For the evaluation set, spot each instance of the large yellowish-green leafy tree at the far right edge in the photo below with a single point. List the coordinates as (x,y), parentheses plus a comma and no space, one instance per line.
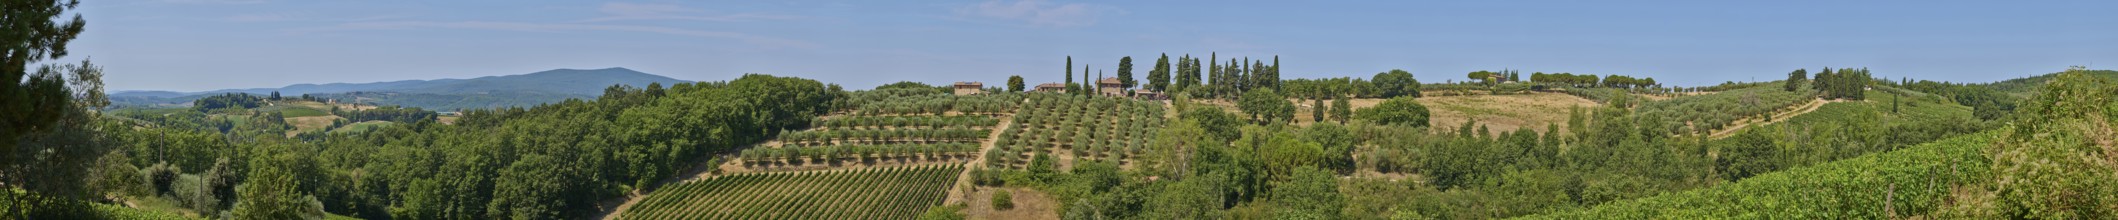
(2056,162)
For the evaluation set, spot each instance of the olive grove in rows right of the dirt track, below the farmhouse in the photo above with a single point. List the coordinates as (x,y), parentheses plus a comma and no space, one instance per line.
(1088,128)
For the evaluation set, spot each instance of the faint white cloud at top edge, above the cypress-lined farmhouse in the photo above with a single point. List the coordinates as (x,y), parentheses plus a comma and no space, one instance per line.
(1037,12)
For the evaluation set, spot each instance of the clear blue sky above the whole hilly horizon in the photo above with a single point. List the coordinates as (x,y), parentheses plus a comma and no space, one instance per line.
(196,45)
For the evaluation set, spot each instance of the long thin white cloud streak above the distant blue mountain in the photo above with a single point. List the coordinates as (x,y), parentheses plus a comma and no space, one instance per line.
(516,26)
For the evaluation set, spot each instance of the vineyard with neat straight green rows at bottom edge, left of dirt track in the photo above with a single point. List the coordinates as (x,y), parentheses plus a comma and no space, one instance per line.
(895,194)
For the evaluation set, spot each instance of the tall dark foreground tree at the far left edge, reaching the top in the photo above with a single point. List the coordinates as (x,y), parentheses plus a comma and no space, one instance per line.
(46,111)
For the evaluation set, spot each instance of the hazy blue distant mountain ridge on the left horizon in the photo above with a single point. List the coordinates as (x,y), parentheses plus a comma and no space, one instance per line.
(550,81)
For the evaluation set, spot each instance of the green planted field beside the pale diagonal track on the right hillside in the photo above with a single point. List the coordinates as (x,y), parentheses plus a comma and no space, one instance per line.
(1717,111)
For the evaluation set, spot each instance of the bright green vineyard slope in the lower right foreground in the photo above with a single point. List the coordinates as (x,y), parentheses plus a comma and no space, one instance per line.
(1888,185)
